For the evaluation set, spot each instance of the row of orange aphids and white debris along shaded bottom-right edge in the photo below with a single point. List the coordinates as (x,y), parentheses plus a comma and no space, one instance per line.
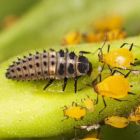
(114,121)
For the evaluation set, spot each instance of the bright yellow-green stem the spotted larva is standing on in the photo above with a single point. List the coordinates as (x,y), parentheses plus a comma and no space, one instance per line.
(28,111)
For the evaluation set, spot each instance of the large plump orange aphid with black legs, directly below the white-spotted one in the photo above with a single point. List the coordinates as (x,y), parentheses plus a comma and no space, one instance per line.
(107,87)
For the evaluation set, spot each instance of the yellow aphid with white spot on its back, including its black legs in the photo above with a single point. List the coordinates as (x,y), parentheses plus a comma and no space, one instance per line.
(120,58)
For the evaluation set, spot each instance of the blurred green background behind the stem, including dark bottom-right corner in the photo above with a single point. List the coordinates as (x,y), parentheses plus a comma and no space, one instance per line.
(35,24)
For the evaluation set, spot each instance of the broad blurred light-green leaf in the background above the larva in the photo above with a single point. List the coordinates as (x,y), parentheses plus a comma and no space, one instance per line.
(46,23)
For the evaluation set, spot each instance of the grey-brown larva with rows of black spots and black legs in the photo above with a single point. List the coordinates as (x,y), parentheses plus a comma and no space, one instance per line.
(50,65)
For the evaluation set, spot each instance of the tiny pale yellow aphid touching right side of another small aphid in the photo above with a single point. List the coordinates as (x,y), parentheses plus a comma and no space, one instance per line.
(89,104)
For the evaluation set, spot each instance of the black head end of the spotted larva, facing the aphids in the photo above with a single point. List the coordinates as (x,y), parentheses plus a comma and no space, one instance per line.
(83,66)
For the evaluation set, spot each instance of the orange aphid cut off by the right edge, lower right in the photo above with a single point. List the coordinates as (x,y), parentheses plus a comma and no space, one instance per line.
(135,115)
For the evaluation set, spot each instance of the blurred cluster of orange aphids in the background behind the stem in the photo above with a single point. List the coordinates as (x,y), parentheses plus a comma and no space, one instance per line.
(110,26)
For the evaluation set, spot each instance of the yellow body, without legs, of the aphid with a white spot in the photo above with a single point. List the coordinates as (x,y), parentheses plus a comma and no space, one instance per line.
(121,58)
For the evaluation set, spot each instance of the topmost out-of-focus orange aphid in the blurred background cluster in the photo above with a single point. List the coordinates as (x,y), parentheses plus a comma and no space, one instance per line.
(109,23)
